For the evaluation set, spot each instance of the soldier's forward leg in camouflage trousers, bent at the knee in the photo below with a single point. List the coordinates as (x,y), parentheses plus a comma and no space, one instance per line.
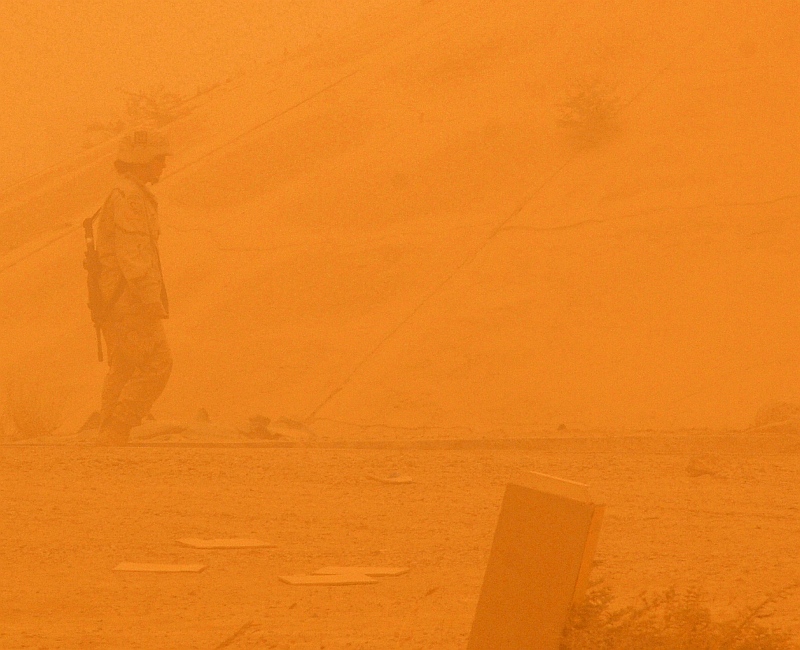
(148,342)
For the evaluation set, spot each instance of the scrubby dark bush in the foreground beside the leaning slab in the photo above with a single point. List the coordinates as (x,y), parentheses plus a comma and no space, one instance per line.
(669,621)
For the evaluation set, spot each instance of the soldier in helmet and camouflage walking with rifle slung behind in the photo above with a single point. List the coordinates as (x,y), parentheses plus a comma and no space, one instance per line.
(132,287)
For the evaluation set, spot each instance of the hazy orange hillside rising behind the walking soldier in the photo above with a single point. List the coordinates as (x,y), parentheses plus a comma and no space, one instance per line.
(394,232)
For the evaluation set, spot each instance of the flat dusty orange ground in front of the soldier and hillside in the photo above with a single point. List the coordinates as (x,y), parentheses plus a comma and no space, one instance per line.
(72,513)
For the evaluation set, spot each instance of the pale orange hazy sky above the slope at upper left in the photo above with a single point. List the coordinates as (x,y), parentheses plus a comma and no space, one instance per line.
(64,61)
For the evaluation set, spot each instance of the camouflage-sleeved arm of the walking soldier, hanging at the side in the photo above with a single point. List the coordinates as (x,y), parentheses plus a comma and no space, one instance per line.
(134,249)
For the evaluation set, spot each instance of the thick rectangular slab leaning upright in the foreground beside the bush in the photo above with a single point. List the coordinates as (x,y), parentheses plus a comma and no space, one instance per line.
(541,555)
